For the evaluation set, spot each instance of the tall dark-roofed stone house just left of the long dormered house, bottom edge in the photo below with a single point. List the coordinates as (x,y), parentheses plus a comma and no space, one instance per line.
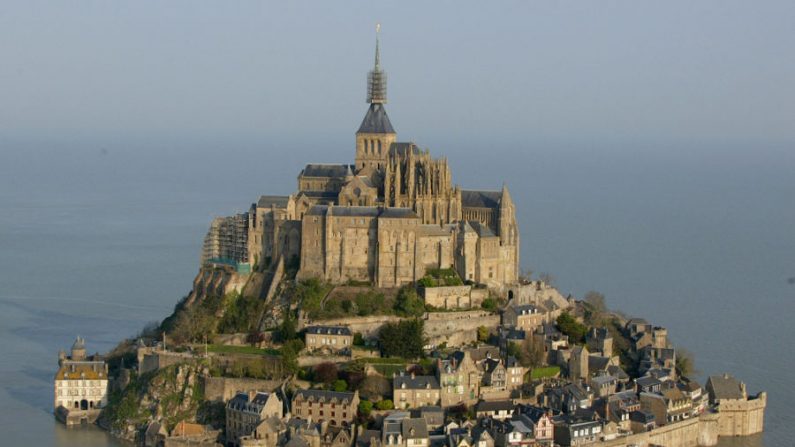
(245,414)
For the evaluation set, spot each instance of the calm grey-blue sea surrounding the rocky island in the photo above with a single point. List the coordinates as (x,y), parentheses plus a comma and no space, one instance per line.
(98,238)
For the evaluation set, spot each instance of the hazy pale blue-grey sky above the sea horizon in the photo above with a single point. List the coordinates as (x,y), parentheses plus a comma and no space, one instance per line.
(596,70)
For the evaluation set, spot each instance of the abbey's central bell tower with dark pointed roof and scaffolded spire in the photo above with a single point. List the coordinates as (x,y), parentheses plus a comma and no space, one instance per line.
(376,134)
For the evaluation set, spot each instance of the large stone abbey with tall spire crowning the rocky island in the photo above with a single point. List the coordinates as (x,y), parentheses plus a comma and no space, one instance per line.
(386,219)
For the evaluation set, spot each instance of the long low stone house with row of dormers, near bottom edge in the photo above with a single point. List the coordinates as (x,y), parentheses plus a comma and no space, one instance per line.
(337,408)
